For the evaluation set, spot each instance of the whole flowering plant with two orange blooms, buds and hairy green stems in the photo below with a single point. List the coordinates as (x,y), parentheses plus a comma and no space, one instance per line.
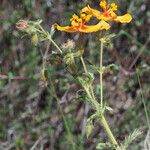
(78,24)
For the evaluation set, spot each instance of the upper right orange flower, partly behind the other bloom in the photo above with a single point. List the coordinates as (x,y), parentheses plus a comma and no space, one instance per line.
(108,13)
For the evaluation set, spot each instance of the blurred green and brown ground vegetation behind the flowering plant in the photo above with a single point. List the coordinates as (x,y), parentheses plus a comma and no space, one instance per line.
(50,118)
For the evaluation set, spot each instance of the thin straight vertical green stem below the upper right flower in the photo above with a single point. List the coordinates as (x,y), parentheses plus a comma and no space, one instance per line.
(101,74)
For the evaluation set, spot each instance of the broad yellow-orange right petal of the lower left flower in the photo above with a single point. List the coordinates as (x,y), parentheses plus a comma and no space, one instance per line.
(94,28)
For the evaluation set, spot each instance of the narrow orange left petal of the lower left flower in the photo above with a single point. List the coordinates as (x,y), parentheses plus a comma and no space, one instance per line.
(65,28)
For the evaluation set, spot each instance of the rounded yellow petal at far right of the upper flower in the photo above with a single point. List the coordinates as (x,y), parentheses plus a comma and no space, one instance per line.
(123,19)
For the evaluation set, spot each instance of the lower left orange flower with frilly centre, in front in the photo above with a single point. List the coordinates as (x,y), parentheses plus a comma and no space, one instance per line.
(78,25)
